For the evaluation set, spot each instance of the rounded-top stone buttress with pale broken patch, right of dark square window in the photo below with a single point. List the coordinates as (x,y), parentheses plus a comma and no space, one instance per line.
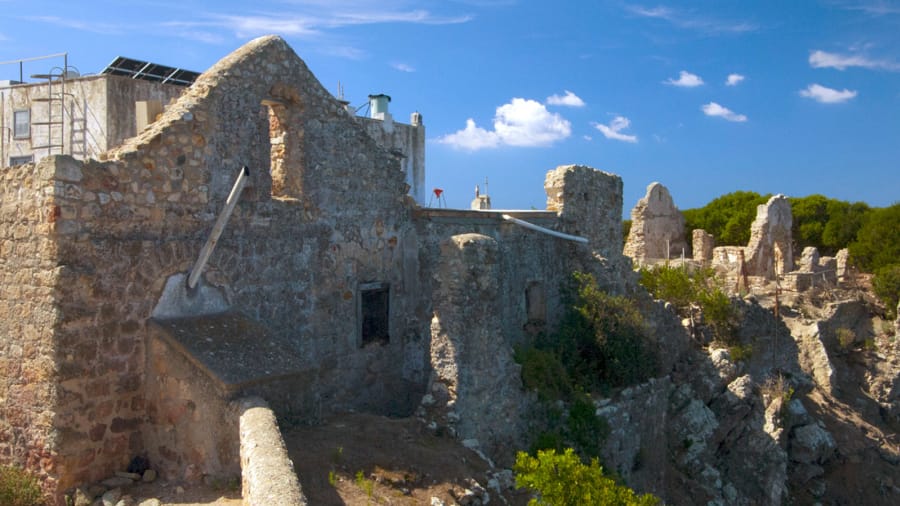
(475,381)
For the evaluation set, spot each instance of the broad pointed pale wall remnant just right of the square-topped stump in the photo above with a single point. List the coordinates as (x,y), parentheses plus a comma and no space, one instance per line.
(657,227)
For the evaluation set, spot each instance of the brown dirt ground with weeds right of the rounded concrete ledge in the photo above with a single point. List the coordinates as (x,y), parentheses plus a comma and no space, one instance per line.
(365,459)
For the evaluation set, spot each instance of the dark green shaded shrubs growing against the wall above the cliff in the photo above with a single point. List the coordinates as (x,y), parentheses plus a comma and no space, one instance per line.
(601,344)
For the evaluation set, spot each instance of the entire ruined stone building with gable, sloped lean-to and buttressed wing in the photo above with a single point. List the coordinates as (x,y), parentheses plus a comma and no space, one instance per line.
(330,289)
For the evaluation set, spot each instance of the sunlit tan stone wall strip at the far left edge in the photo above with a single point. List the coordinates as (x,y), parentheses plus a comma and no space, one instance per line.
(29,388)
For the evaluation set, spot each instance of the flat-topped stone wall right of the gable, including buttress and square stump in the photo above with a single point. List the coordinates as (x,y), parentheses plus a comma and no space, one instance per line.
(492,283)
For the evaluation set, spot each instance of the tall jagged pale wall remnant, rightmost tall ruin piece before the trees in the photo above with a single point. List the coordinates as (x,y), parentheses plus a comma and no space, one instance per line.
(769,251)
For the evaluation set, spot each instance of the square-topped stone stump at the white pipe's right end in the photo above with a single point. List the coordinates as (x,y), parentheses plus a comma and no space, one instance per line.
(589,204)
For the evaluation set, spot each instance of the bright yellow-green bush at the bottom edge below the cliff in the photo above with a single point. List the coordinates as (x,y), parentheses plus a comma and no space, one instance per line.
(563,480)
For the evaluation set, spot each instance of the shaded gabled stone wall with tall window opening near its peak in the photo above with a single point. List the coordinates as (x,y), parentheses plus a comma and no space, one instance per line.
(332,216)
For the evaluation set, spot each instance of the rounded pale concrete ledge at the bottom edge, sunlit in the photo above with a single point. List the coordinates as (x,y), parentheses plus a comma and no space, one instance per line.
(267,474)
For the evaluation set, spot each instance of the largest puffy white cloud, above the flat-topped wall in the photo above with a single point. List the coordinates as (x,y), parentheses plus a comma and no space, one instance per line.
(521,122)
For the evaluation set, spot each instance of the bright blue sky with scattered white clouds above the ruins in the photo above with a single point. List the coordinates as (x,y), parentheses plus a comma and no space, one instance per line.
(706,97)
